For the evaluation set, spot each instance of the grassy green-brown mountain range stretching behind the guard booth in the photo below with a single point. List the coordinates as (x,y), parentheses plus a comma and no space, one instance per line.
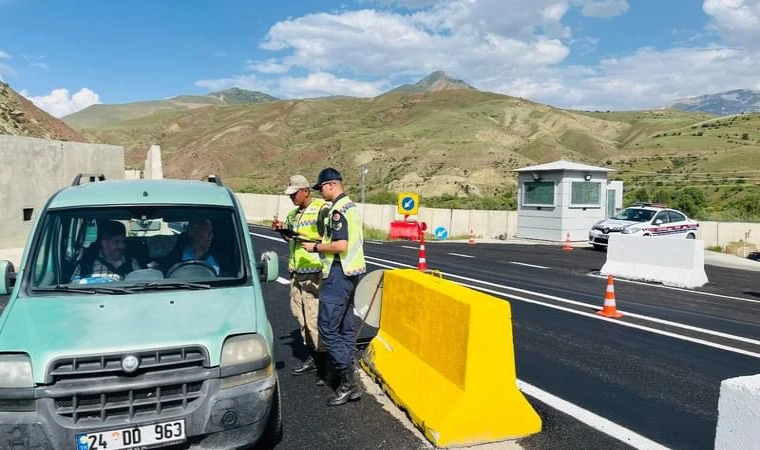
(439,137)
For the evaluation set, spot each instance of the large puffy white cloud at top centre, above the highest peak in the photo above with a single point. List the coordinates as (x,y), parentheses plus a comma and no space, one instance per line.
(377,43)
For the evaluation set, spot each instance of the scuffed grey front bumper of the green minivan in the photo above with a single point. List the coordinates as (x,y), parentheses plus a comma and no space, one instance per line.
(220,419)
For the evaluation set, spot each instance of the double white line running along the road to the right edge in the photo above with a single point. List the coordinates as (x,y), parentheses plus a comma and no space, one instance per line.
(596,316)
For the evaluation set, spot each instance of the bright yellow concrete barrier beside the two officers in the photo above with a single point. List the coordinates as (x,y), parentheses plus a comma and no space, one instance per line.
(444,353)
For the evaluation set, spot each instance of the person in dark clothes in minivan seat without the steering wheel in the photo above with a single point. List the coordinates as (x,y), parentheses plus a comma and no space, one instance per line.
(105,259)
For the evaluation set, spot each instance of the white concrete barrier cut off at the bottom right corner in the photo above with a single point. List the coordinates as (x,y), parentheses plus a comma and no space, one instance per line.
(739,414)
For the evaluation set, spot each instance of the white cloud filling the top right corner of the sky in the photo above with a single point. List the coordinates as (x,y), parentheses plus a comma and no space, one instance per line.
(738,21)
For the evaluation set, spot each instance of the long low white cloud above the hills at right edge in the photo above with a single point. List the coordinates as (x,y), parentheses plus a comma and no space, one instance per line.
(645,79)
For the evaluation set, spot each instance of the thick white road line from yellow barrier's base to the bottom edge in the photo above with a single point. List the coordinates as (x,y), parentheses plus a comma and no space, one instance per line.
(597,422)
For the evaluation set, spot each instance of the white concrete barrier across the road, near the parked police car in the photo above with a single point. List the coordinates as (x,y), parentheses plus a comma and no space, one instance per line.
(670,261)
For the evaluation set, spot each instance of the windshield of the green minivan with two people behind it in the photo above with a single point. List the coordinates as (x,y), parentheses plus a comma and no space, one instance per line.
(129,249)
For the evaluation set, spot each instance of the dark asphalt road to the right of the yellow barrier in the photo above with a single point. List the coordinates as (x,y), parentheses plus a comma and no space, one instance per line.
(663,387)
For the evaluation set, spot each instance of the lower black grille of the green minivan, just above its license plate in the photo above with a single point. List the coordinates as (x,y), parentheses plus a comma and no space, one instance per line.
(129,404)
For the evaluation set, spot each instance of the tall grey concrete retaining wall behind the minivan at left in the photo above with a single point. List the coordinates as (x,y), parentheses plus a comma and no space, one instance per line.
(31,170)
